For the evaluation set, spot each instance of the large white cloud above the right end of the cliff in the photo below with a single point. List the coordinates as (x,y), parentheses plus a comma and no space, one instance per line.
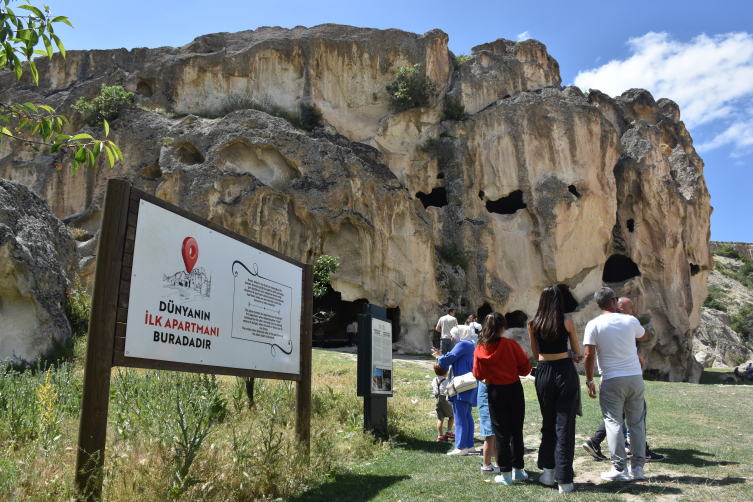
(710,77)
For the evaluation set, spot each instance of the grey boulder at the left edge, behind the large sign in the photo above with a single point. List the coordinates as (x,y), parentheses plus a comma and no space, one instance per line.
(37,254)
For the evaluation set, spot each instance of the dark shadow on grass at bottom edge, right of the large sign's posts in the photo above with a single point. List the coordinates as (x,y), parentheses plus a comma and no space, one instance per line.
(350,488)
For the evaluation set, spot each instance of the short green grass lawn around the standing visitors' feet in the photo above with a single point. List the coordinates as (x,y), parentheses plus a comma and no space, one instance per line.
(705,431)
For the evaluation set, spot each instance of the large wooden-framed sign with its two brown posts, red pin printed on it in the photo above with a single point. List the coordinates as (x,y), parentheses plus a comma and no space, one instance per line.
(173,291)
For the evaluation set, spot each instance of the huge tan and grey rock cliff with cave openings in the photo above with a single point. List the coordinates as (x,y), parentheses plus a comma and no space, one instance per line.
(539,185)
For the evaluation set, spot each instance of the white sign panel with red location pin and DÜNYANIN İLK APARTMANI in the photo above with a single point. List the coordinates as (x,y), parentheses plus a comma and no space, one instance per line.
(200,297)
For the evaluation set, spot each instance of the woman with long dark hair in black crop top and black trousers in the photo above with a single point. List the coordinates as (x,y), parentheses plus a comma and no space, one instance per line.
(557,386)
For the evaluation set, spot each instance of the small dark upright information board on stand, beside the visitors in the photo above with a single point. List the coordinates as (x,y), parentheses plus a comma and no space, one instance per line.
(375,375)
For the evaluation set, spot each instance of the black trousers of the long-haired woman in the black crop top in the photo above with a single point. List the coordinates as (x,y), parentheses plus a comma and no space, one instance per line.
(557,386)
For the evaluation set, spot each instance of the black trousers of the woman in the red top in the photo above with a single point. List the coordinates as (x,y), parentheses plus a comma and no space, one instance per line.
(507,411)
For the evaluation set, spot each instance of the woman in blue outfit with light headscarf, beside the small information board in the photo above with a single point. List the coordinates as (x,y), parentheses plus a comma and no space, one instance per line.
(461,360)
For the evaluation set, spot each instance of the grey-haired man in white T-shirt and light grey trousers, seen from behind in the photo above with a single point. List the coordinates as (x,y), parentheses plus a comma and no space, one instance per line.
(611,339)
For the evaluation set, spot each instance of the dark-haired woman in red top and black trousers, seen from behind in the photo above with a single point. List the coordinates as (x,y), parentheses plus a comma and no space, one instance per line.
(500,362)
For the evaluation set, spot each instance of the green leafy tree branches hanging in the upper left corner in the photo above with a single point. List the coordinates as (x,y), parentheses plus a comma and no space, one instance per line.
(38,125)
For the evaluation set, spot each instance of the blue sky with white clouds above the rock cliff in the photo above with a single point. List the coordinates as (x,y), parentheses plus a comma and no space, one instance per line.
(697,53)
